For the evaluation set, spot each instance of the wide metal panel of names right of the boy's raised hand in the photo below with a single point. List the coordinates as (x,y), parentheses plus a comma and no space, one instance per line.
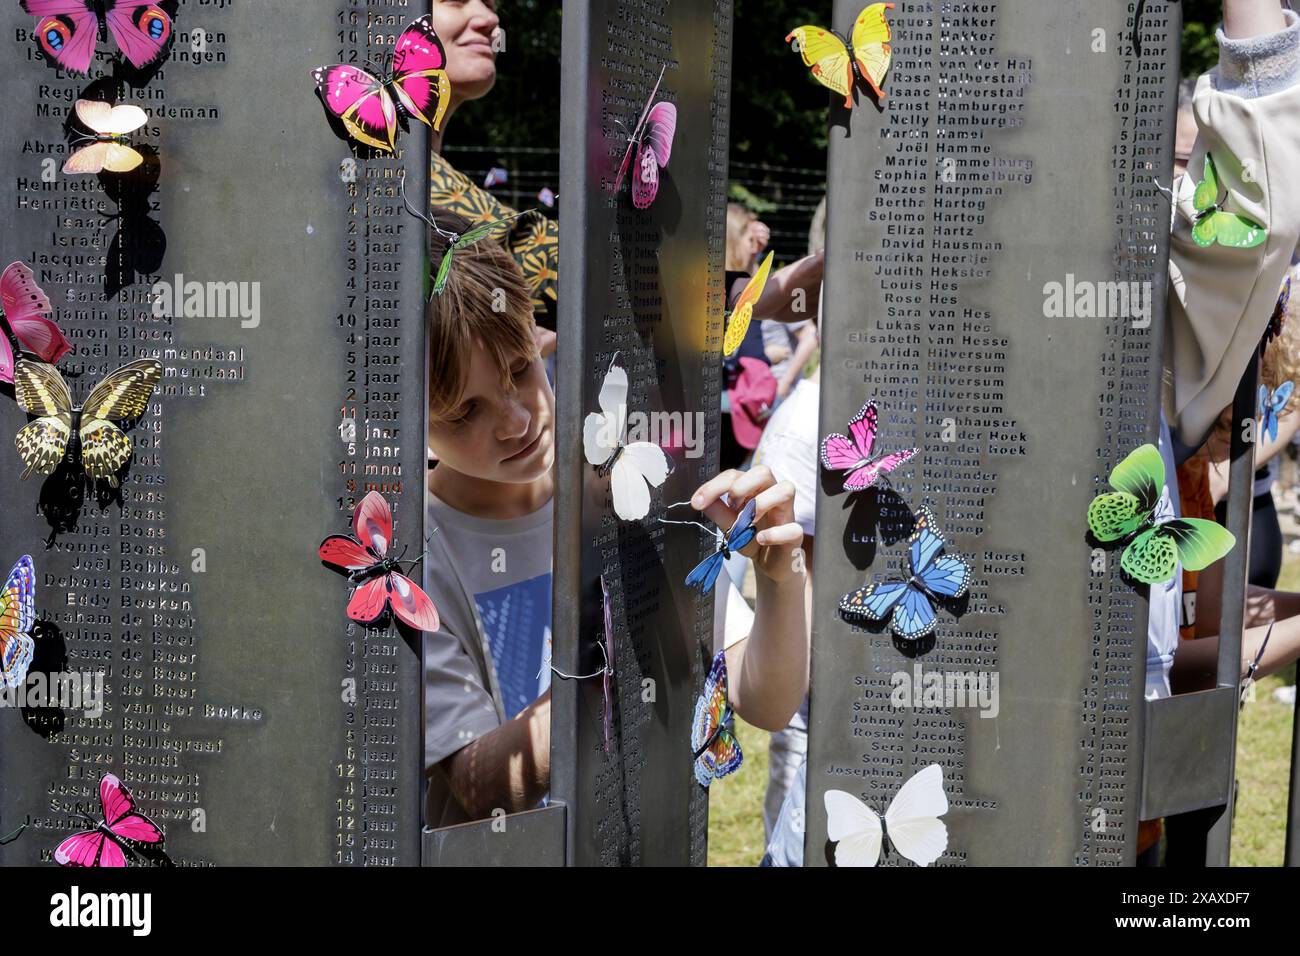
(996,280)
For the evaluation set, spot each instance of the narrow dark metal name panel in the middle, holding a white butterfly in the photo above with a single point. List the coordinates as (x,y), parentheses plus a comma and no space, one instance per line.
(649,287)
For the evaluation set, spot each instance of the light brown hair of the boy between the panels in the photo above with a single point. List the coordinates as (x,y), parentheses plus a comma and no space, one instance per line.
(486,300)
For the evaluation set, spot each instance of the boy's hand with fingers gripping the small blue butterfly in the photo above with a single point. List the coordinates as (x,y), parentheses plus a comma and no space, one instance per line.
(779,537)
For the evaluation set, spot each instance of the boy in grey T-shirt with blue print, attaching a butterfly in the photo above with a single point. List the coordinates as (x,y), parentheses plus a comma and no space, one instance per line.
(492,427)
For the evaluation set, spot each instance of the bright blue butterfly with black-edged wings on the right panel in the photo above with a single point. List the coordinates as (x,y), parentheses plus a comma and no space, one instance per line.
(913,602)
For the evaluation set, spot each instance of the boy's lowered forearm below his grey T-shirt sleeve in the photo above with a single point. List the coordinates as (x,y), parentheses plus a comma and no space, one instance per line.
(509,768)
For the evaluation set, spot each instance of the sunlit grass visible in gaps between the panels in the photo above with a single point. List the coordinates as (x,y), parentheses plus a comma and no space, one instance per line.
(1263,772)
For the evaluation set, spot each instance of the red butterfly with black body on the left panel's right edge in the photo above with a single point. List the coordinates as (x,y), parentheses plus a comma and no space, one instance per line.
(380,585)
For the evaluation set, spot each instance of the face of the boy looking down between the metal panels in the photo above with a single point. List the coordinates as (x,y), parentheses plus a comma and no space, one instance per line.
(499,435)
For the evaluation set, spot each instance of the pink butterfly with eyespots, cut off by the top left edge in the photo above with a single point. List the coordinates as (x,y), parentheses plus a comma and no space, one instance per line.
(70,29)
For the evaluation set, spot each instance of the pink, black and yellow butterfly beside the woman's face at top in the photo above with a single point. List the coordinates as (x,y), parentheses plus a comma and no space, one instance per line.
(371,109)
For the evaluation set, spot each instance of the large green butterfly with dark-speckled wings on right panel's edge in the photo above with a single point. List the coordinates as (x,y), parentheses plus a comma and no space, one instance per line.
(1154,556)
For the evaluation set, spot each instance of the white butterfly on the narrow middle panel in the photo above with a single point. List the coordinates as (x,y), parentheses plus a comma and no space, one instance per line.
(634,468)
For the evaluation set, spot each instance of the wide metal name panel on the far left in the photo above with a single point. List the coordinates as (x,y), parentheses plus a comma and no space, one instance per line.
(274,272)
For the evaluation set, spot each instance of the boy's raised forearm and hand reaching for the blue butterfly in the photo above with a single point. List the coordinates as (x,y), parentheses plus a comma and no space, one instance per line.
(769,672)
